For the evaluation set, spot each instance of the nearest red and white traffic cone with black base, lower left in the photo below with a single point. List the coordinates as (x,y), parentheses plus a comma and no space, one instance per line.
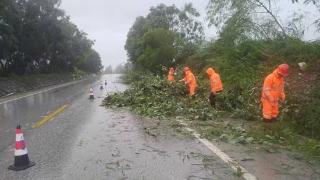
(21,159)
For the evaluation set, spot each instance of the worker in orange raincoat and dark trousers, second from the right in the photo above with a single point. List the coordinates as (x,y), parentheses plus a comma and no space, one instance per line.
(216,85)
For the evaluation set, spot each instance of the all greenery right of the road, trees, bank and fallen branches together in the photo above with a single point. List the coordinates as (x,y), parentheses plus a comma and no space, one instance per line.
(247,50)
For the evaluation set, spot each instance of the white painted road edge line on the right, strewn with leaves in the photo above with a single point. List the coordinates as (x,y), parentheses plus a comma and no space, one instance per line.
(223,156)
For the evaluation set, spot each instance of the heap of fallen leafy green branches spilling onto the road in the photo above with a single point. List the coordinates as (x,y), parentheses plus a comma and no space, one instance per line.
(153,96)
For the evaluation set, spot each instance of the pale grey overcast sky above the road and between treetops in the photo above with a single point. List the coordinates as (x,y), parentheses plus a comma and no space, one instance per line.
(108,21)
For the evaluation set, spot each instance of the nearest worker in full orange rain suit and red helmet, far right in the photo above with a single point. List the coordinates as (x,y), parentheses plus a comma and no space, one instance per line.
(273,91)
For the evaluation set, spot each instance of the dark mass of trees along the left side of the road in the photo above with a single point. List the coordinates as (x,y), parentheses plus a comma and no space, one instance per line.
(38,37)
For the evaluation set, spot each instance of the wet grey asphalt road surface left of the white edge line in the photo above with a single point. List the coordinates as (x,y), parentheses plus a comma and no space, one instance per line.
(88,141)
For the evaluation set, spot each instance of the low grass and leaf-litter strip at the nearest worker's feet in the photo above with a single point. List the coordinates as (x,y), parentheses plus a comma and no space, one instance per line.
(271,137)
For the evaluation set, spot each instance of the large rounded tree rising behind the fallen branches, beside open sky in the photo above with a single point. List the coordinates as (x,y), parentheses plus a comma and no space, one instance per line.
(187,33)
